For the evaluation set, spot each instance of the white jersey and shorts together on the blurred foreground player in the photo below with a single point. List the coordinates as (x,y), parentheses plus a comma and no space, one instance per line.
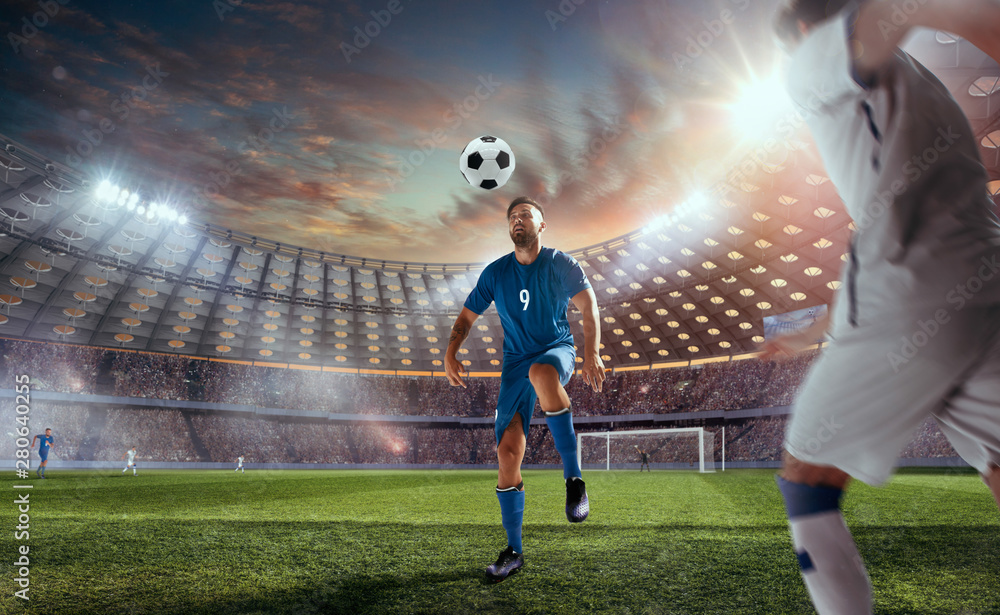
(916,326)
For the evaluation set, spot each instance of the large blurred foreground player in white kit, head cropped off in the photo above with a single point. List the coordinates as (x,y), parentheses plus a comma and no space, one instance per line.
(915,330)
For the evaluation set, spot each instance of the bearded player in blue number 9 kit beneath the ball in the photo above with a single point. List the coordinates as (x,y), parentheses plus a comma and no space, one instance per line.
(532,287)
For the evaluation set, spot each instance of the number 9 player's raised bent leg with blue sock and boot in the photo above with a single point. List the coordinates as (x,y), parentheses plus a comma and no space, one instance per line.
(555,404)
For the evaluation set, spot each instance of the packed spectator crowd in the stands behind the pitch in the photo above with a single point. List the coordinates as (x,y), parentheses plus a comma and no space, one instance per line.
(99,432)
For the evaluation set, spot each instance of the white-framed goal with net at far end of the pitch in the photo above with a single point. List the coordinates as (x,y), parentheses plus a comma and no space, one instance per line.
(691,448)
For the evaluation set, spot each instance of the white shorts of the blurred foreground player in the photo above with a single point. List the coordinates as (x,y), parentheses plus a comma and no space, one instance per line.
(876,384)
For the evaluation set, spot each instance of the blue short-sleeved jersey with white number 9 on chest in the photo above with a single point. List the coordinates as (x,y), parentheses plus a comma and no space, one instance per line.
(531,300)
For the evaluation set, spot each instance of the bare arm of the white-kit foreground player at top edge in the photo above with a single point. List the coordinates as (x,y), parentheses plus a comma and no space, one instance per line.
(877,34)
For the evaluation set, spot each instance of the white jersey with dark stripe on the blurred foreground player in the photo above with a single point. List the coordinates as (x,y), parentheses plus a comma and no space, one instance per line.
(906,163)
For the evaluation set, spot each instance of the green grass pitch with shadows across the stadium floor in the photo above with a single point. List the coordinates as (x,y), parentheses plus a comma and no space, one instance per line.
(304,541)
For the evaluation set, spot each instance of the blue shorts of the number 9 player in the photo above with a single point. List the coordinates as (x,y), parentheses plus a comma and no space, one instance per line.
(516,392)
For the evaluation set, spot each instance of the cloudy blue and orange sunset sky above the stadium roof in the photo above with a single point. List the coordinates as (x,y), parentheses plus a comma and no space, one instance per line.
(279,119)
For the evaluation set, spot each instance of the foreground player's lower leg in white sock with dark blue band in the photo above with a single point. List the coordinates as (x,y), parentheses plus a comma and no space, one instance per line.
(828,557)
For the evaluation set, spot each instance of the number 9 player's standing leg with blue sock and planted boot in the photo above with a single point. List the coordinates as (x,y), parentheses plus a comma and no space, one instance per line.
(510,494)
